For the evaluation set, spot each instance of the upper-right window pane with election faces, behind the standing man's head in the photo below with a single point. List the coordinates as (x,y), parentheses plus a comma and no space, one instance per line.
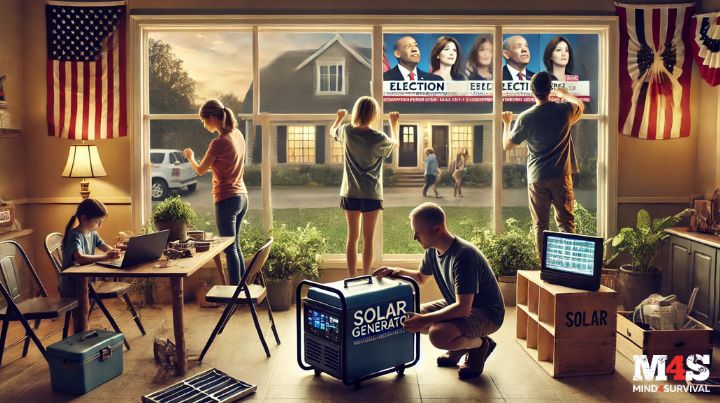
(572,59)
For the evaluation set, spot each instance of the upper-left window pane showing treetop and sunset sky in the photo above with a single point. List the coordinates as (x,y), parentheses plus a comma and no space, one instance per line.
(188,67)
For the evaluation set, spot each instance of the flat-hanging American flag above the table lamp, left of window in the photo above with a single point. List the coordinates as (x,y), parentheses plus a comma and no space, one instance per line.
(86,83)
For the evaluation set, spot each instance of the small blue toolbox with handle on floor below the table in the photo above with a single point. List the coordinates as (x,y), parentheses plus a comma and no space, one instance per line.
(84,361)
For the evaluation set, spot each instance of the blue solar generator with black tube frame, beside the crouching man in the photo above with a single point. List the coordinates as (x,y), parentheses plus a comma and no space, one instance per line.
(353,329)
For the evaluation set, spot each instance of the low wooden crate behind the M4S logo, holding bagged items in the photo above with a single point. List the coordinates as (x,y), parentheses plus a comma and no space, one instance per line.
(634,340)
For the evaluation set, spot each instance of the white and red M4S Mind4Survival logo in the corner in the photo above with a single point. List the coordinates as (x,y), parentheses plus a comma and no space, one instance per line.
(678,368)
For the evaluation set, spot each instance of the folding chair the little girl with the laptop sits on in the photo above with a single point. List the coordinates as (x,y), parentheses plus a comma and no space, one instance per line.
(99,290)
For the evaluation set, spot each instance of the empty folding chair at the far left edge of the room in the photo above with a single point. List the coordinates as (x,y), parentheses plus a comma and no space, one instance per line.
(25,308)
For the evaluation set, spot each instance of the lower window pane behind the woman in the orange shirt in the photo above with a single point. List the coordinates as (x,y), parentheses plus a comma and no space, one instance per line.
(170,137)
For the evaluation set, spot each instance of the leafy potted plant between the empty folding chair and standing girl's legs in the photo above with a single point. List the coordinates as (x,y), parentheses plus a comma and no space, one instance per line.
(294,253)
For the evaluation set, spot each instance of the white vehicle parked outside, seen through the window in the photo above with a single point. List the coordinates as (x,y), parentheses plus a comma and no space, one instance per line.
(170,172)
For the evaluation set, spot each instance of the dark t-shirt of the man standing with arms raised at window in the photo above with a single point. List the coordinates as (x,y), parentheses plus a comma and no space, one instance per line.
(546,128)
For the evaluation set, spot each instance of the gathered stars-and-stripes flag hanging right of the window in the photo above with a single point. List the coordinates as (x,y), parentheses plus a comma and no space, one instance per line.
(655,70)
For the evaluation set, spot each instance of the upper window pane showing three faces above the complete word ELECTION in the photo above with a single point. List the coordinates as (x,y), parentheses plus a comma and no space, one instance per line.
(453,73)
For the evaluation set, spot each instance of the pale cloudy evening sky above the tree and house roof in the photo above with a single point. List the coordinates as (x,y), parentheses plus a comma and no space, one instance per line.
(221,62)
